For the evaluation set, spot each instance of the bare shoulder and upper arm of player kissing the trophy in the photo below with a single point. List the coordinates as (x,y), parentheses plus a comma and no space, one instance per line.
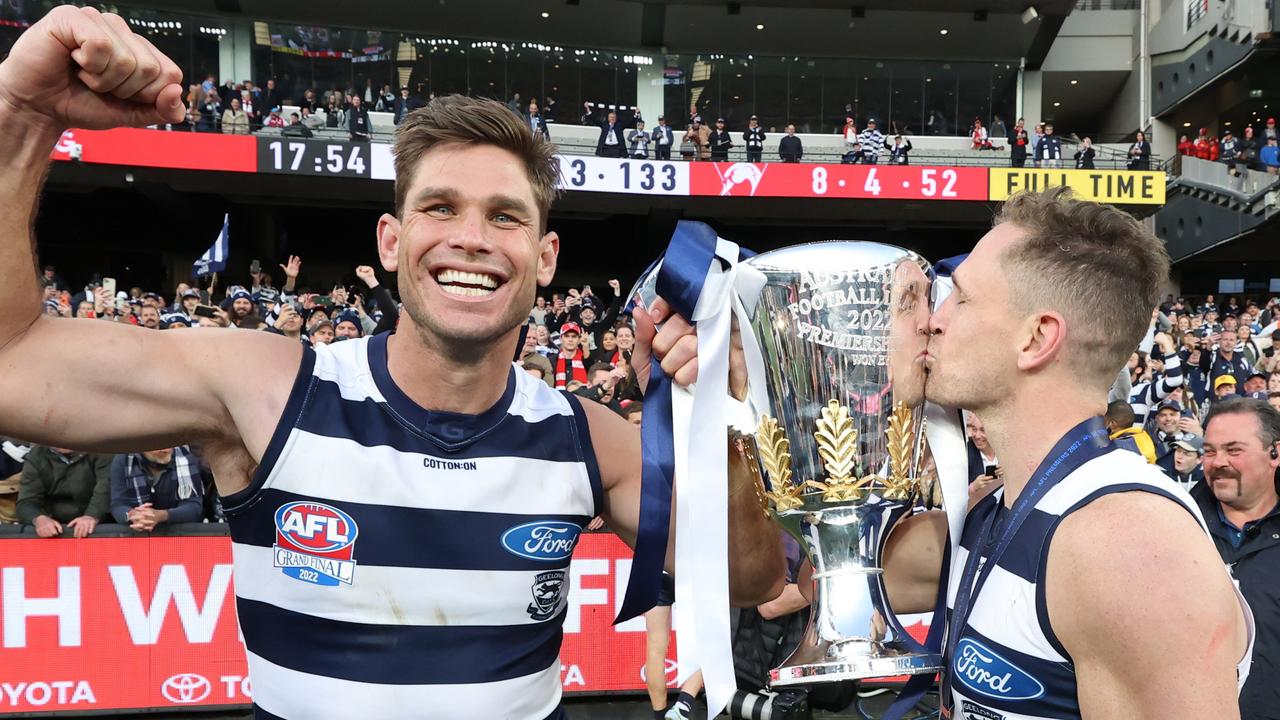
(1140,599)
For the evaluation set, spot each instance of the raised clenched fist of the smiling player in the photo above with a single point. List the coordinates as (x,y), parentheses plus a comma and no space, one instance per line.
(79,67)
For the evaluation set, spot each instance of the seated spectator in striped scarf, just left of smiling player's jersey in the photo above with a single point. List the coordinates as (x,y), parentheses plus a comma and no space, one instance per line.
(156,487)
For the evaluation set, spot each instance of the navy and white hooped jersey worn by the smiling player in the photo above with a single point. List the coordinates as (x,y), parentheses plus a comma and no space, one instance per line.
(399,563)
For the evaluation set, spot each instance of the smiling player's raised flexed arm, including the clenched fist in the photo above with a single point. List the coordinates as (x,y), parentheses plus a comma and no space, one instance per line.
(61,379)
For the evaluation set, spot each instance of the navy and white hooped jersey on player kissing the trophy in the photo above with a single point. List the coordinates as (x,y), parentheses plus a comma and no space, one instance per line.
(1008,663)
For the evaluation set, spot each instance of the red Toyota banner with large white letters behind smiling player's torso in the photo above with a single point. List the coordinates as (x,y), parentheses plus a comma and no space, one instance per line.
(139,623)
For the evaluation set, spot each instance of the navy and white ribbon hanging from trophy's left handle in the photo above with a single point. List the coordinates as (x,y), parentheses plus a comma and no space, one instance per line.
(685,446)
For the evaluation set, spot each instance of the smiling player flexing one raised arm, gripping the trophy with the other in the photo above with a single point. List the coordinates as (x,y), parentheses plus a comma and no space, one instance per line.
(403,508)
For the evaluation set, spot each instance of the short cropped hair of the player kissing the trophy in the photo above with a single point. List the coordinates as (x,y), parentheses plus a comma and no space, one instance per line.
(1094,263)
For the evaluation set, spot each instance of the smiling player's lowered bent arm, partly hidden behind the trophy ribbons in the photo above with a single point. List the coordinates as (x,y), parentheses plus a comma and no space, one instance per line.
(756,566)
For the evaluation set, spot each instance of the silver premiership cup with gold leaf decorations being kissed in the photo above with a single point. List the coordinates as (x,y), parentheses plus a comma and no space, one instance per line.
(840,452)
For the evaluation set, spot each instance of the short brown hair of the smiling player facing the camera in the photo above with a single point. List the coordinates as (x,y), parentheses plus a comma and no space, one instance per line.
(473,121)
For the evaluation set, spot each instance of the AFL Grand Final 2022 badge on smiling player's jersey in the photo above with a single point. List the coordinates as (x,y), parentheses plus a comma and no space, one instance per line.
(316,543)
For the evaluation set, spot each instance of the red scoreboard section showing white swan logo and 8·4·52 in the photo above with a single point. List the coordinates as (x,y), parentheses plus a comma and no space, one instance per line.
(865,183)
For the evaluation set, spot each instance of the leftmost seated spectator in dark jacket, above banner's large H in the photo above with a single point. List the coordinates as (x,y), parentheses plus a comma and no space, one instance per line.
(63,487)
